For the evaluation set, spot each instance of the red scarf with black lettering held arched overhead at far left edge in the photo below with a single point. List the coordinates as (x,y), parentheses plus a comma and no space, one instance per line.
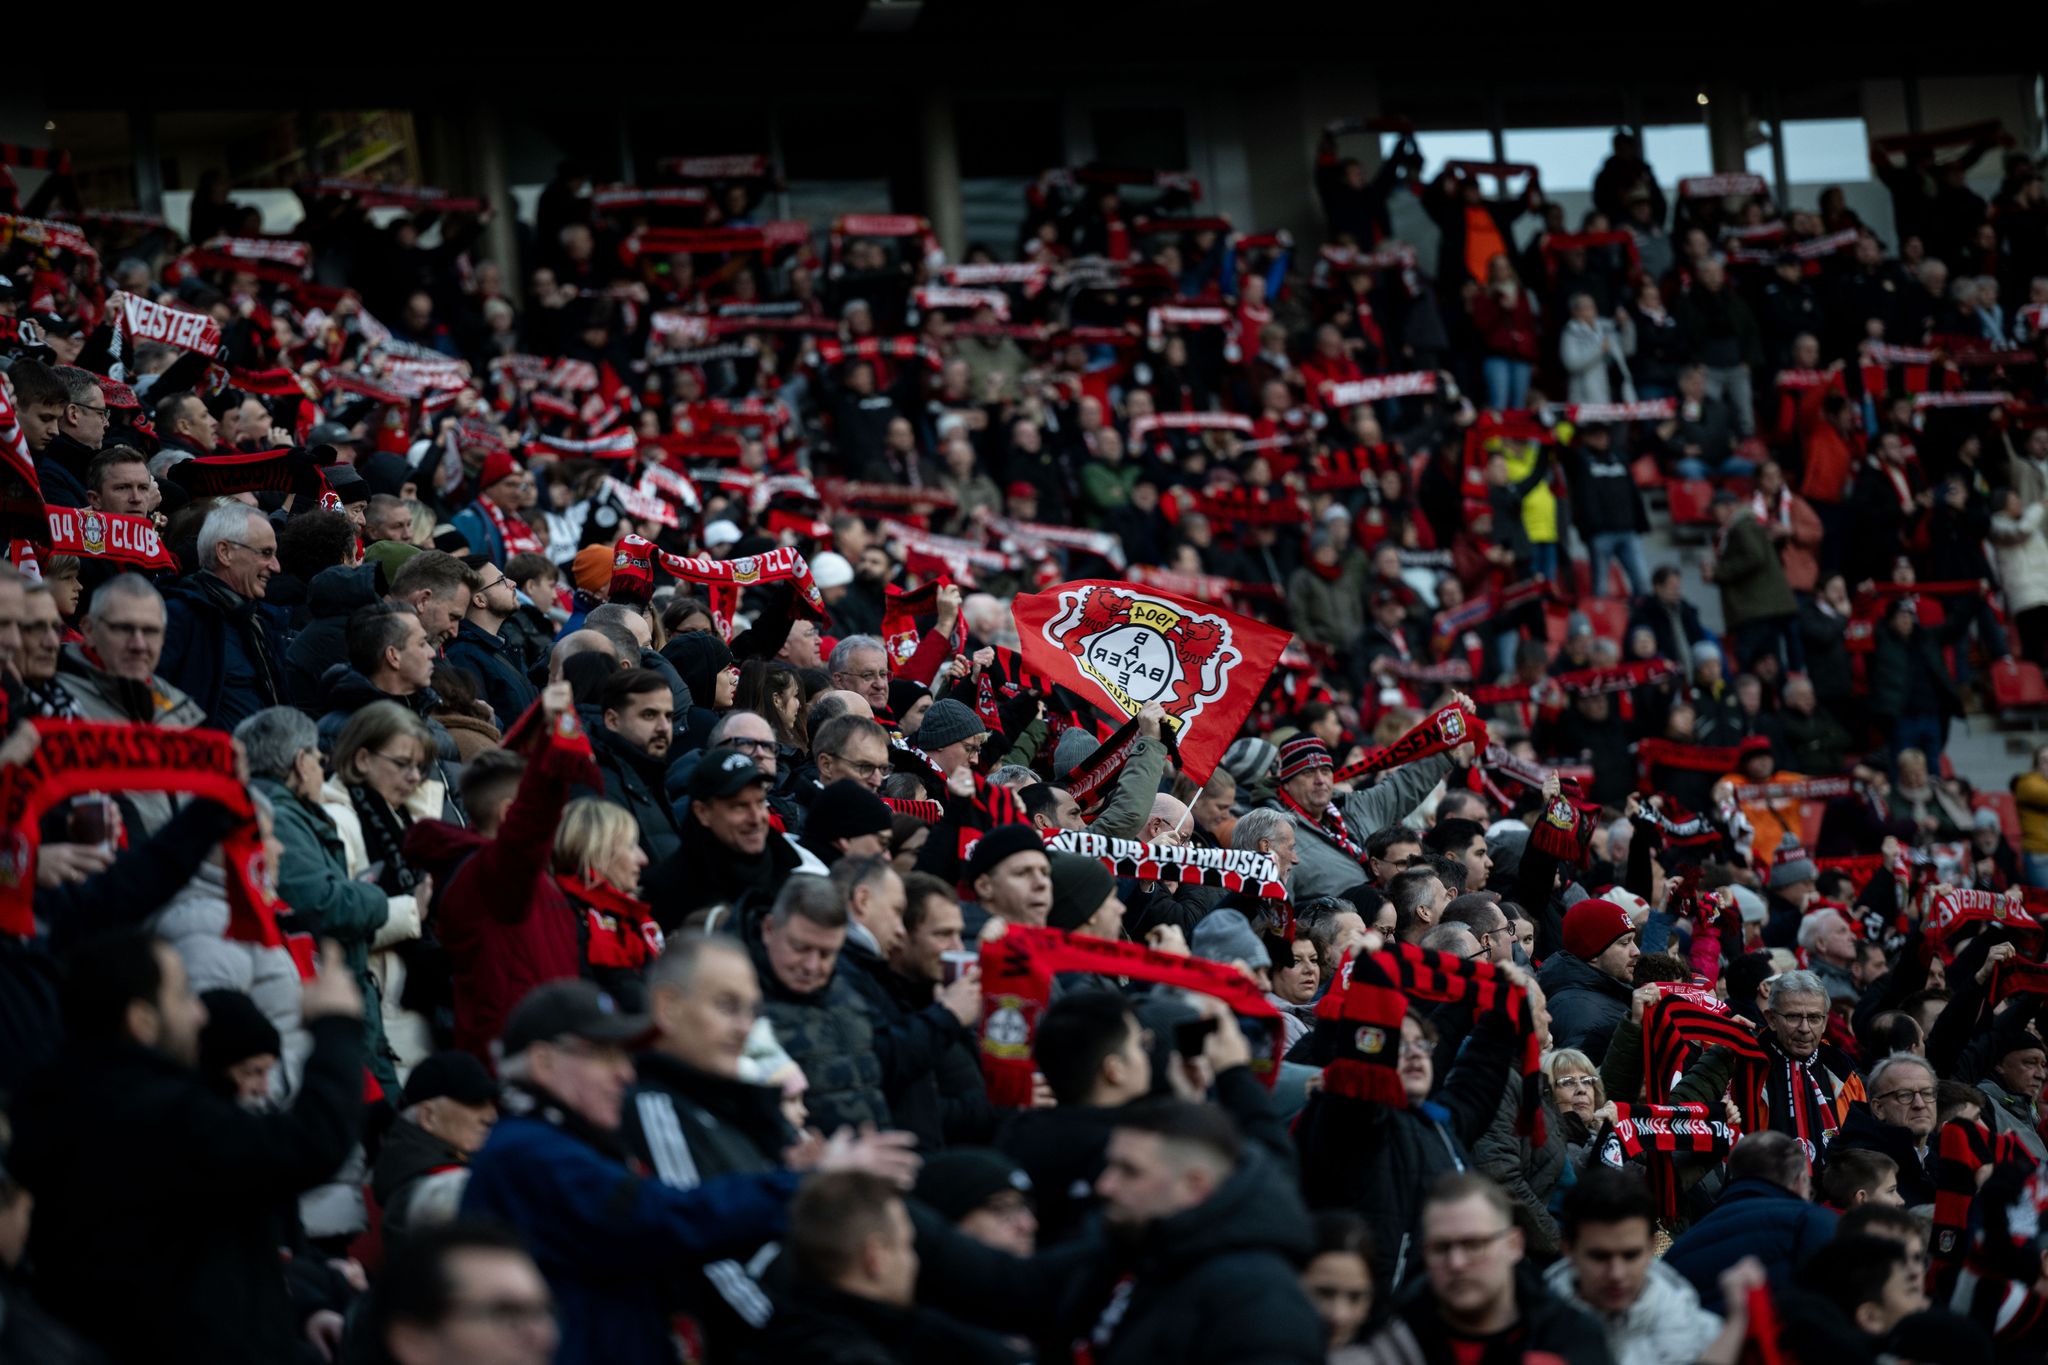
(89,756)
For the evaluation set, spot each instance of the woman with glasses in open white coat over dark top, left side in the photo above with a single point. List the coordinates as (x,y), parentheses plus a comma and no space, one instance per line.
(378,791)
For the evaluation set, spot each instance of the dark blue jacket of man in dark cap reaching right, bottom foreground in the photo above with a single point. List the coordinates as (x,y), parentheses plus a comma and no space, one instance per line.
(607,1239)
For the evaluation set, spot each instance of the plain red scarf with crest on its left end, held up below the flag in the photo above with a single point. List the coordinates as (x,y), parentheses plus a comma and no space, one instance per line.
(1017,983)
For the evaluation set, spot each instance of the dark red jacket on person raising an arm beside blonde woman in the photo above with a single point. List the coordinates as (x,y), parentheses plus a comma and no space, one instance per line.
(501,916)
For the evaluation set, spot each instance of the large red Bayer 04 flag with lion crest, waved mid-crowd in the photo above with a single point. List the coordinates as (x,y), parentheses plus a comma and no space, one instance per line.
(1121,648)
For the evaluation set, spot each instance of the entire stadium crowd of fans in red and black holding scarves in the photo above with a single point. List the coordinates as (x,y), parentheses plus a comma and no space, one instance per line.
(722,799)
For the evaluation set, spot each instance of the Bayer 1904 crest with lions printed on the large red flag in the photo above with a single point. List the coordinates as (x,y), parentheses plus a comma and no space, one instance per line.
(1146,650)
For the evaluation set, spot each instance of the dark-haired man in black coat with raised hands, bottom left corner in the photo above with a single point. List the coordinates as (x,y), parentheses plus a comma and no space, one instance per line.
(212,1180)
